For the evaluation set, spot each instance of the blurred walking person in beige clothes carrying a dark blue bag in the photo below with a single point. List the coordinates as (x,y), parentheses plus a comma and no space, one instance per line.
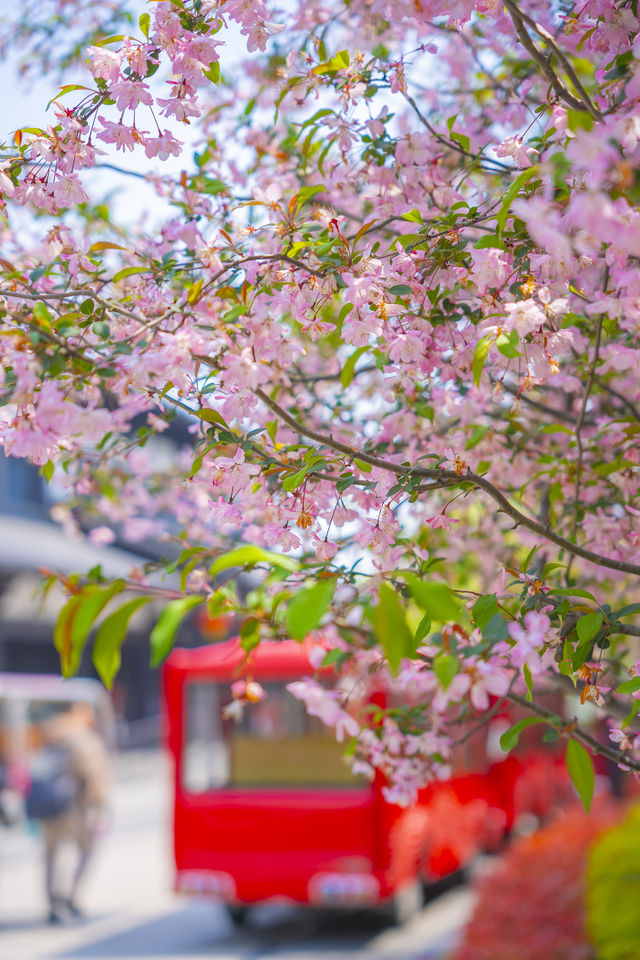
(68,797)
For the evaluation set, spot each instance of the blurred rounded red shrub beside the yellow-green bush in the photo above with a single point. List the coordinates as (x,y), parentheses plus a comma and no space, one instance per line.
(532,905)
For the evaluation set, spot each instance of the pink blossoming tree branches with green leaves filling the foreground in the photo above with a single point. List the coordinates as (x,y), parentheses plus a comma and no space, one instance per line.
(391,307)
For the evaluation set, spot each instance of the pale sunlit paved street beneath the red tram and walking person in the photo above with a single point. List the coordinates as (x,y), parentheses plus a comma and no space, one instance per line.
(131,912)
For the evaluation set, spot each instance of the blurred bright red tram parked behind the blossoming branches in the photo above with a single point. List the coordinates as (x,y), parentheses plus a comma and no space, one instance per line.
(265,807)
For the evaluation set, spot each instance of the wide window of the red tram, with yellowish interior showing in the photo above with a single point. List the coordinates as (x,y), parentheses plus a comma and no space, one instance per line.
(274,743)
